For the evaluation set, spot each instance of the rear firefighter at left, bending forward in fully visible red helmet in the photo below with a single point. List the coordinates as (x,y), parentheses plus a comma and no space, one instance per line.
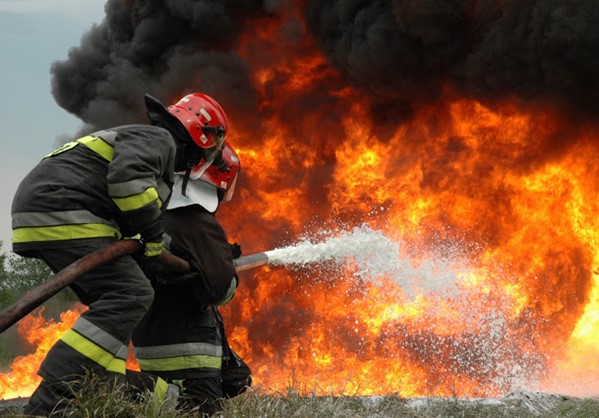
(91,192)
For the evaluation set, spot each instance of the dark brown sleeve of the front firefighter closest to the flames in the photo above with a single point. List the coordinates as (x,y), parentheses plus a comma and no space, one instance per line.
(197,237)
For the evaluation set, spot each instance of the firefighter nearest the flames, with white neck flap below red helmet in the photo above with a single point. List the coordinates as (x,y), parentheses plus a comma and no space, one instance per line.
(182,337)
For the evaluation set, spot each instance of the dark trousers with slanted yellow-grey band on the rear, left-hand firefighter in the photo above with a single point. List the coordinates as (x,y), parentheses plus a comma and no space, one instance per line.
(118,295)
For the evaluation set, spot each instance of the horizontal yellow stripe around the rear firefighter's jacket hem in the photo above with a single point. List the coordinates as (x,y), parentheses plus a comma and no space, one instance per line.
(63,232)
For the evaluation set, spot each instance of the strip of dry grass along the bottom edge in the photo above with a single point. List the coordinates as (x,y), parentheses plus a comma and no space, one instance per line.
(93,399)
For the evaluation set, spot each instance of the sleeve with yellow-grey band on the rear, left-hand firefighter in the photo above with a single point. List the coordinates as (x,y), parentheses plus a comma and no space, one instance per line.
(140,176)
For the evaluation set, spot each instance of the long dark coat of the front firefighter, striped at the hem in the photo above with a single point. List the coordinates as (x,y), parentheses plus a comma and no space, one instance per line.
(180,336)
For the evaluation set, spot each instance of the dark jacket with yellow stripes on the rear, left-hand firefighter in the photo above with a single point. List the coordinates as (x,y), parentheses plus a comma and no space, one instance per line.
(109,184)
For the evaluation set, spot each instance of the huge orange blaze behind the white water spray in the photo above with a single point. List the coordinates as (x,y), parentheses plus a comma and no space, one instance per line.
(504,194)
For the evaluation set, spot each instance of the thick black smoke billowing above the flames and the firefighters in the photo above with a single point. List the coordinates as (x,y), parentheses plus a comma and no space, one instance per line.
(400,52)
